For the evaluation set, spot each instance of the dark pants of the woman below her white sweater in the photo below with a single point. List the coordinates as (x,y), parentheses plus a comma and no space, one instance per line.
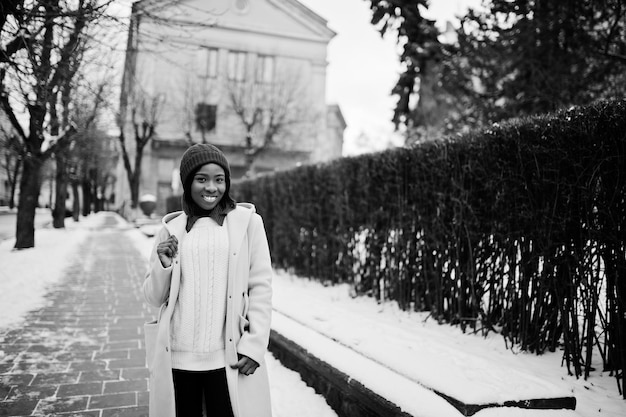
(191,386)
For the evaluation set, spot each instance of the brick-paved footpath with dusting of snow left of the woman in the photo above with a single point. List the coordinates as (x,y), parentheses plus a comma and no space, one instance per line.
(82,354)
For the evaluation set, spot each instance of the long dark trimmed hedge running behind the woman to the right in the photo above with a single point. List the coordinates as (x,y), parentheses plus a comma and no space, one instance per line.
(519,229)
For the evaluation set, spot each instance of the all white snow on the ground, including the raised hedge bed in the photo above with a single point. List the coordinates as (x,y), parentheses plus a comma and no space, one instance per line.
(399,355)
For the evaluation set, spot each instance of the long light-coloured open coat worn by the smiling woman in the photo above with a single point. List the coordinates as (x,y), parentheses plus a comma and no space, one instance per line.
(248,312)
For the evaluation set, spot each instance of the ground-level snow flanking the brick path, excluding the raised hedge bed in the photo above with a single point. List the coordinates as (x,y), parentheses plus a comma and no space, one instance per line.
(28,274)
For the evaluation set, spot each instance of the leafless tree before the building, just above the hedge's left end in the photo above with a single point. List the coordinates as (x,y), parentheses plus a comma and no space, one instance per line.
(269,109)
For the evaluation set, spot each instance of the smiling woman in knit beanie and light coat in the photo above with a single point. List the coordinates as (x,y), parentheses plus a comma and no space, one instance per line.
(210,271)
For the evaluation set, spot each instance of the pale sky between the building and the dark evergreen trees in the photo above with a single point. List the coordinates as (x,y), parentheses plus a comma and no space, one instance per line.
(363,68)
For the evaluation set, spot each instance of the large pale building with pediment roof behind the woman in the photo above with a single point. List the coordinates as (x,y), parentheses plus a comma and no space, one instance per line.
(247,76)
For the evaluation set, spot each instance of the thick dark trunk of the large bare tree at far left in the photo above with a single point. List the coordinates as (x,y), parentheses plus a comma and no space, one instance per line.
(30,186)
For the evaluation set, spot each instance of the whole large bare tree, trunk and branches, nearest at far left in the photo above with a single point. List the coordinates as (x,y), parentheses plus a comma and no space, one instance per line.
(46,39)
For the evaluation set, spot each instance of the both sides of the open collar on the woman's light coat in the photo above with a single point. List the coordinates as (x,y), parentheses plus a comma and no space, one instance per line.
(236,221)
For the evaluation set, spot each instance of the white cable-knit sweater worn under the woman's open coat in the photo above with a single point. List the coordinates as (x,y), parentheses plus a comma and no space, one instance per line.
(199,315)
